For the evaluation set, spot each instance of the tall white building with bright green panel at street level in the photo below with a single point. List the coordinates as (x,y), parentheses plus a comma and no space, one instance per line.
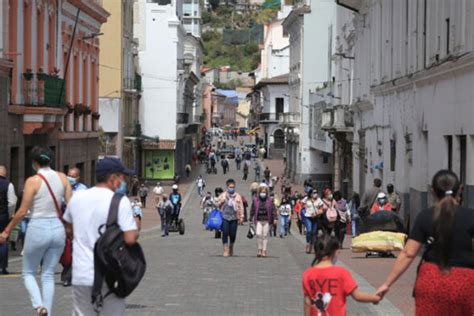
(164,108)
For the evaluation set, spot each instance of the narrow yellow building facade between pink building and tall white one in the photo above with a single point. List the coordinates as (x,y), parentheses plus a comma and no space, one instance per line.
(119,94)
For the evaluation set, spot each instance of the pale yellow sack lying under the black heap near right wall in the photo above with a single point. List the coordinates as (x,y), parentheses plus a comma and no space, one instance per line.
(379,241)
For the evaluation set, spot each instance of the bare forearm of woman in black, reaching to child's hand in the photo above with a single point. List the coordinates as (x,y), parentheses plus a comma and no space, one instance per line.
(402,263)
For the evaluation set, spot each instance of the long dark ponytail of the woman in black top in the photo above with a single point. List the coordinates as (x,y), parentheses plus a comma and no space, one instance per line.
(445,188)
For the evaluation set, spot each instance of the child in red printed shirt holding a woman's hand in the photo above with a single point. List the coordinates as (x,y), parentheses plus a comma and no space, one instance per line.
(325,286)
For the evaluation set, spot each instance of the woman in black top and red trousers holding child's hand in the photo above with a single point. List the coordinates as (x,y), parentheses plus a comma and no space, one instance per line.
(445,278)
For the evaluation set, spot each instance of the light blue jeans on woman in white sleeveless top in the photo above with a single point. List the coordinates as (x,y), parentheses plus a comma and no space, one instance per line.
(44,242)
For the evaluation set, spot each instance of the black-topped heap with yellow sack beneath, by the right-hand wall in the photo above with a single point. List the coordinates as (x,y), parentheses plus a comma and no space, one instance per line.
(383,232)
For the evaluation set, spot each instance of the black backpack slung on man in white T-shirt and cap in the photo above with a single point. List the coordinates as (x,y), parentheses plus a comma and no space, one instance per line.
(120,265)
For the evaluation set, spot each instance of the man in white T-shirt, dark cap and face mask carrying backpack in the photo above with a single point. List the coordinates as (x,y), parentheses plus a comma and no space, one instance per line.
(85,213)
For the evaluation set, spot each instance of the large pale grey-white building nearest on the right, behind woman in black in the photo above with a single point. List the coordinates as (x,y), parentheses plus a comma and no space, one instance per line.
(413,92)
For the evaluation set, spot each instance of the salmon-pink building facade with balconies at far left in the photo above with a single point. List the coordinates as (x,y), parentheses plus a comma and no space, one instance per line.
(50,94)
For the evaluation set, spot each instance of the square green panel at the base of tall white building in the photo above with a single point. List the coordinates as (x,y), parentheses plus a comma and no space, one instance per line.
(159,164)
